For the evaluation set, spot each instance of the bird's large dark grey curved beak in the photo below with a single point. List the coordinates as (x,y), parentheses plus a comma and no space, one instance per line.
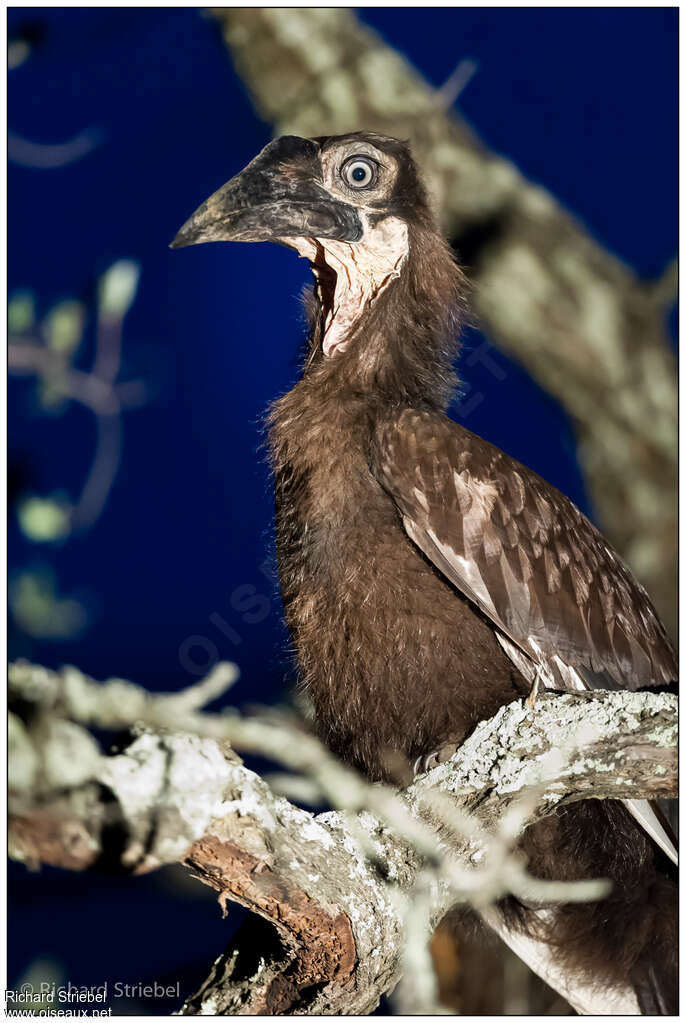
(281,195)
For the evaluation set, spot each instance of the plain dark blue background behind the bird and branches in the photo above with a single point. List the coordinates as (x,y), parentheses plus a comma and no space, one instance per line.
(583,101)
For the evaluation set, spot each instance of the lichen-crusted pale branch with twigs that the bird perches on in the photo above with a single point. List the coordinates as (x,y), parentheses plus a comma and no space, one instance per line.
(344,889)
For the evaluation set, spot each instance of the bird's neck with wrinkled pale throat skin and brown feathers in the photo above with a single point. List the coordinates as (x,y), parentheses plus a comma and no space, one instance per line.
(385,319)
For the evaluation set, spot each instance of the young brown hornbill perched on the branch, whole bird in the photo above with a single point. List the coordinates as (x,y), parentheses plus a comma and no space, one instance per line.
(429,579)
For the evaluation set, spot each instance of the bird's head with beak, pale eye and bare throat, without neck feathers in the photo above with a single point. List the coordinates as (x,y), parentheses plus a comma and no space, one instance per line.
(348,203)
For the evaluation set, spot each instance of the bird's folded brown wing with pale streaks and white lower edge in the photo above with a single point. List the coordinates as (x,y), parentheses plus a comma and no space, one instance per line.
(560,598)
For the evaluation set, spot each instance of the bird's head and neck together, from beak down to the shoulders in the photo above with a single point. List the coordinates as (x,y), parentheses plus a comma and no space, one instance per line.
(387,288)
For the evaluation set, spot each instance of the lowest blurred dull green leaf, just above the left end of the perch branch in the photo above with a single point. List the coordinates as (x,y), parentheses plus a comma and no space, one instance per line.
(40,612)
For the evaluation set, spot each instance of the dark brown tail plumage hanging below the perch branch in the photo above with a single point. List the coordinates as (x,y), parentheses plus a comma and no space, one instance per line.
(626,943)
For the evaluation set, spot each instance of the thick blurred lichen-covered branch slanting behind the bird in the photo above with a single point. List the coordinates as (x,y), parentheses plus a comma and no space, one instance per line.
(580,322)
